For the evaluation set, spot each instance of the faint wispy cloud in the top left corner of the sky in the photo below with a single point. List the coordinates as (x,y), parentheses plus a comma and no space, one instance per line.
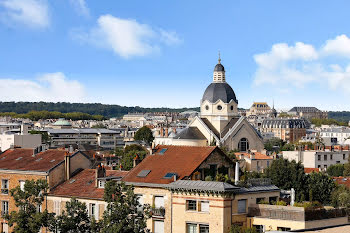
(32,13)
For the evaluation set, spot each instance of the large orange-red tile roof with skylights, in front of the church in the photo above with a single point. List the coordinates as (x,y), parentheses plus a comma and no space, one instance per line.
(182,160)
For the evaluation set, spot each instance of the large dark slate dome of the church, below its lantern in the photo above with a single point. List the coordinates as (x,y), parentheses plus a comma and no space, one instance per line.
(222,91)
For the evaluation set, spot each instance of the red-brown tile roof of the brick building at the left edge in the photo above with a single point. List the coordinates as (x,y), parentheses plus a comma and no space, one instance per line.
(23,160)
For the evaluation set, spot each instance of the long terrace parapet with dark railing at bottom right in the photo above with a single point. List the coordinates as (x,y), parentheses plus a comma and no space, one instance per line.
(294,213)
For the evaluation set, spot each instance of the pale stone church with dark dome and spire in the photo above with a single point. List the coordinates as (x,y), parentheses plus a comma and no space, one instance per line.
(219,122)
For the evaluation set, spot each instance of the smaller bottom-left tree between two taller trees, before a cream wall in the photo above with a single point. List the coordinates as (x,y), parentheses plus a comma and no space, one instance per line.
(74,219)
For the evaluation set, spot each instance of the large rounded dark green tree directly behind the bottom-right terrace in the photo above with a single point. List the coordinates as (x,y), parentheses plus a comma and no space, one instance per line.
(286,175)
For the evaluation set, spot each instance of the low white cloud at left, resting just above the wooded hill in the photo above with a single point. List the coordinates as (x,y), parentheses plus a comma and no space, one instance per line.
(52,87)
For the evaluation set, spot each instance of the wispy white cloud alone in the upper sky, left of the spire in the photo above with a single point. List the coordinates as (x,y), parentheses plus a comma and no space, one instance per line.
(126,37)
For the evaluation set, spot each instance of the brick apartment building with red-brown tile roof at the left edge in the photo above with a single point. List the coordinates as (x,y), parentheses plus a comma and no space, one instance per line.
(19,165)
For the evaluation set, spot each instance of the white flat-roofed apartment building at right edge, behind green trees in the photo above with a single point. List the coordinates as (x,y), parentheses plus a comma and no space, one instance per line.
(318,158)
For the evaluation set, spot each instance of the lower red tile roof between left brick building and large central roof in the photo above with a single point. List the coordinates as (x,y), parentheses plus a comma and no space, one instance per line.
(83,185)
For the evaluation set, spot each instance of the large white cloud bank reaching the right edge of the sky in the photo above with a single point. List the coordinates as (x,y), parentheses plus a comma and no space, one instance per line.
(301,65)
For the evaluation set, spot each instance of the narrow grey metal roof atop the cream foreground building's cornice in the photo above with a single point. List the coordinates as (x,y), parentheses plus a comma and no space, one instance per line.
(202,185)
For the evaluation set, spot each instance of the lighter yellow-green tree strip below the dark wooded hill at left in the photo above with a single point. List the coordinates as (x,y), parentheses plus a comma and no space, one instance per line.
(37,115)
